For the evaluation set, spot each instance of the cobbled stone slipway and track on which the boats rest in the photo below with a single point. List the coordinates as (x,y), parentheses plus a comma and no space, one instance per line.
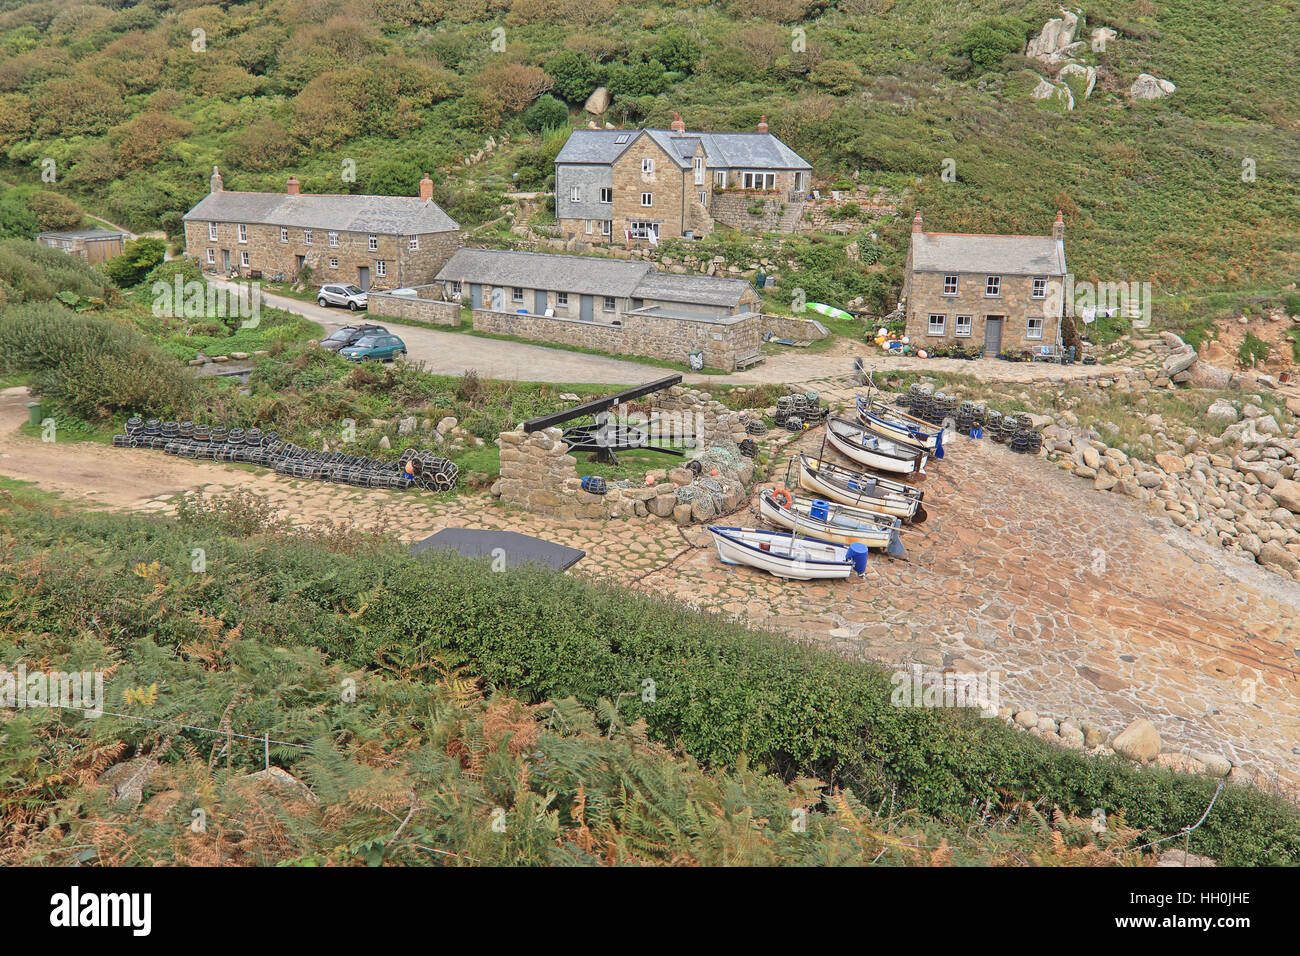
(1086,603)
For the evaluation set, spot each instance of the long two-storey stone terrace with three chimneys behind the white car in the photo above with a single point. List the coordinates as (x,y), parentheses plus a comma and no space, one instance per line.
(380,243)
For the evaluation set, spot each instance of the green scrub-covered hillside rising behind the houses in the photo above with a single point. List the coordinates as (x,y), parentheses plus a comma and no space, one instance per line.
(135,106)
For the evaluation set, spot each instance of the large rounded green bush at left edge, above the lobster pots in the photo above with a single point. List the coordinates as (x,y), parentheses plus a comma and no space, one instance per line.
(92,367)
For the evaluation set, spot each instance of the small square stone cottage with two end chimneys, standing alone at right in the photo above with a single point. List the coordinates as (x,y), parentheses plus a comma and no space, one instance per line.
(998,292)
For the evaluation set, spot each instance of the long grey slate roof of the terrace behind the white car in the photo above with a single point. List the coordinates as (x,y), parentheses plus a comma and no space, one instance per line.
(344,214)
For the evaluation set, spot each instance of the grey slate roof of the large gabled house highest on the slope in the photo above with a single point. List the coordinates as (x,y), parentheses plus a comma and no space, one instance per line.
(733,150)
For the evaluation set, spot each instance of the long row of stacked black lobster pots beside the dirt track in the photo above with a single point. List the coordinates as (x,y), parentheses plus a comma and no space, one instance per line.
(253,447)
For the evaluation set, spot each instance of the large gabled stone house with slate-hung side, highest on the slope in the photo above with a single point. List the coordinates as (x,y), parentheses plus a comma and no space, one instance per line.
(642,187)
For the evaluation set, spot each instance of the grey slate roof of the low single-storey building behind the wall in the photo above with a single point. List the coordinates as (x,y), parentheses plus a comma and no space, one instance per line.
(588,276)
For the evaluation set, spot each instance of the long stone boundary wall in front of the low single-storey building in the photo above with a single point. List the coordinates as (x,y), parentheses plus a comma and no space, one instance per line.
(723,343)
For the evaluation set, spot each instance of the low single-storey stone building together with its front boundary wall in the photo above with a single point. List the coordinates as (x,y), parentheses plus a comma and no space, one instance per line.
(612,305)
